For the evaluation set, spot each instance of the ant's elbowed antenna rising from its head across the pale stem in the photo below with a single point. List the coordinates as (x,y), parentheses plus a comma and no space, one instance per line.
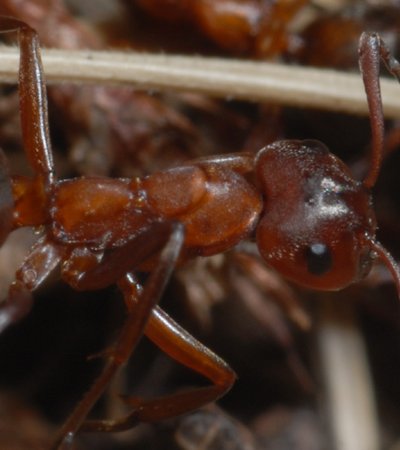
(371,50)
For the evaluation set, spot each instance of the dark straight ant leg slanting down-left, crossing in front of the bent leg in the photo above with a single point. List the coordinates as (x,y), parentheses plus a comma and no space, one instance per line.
(132,330)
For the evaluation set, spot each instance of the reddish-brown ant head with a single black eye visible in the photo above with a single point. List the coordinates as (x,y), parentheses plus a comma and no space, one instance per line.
(318,221)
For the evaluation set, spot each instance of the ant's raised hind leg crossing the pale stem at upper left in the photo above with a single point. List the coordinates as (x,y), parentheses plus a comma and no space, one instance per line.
(33,101)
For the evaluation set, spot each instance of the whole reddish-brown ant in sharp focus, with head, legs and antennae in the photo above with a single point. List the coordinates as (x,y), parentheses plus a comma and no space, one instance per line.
(311,220)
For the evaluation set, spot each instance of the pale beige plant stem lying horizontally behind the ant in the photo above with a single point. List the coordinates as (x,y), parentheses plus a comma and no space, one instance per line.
(229,78)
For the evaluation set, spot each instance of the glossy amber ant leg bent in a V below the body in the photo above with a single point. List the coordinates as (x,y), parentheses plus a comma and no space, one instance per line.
(184,348)
